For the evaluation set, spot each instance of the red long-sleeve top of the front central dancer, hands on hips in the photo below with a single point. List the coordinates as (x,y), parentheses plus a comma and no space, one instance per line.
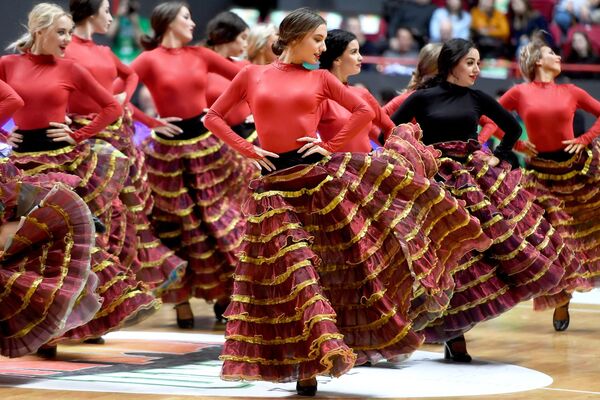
(284,99)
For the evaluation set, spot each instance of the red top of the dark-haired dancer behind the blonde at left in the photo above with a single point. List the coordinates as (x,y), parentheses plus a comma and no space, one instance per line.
(104,66)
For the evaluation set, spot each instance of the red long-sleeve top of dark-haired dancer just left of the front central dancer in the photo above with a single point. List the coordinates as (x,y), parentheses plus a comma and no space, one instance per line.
(177,77)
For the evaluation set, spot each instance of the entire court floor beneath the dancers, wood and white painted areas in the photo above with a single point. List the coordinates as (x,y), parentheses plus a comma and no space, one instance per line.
(516,356)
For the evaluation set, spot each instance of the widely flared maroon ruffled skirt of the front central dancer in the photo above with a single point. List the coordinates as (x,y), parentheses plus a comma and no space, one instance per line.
(335,256)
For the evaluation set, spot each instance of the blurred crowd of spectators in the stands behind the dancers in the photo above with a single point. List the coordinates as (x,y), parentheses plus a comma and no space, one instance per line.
(498,27)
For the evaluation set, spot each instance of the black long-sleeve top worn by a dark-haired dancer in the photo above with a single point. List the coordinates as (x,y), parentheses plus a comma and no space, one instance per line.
(449,112)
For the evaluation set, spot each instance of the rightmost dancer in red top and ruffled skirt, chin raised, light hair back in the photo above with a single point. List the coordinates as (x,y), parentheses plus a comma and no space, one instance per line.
(565,166)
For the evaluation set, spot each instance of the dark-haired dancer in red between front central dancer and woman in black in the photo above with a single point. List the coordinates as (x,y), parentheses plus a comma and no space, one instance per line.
(342,58)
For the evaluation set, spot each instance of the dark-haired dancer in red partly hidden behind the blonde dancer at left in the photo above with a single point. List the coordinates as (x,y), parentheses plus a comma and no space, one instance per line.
(154,263)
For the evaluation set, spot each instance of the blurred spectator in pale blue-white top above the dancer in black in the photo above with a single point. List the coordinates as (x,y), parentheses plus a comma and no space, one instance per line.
(450,22)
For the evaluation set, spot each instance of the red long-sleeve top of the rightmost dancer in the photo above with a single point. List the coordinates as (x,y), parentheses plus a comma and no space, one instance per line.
(547,109)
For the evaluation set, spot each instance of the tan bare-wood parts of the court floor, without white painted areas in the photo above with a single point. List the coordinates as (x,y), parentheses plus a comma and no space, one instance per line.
(520,337)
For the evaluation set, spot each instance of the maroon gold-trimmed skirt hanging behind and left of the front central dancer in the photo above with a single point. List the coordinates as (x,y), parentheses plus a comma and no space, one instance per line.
(198,184)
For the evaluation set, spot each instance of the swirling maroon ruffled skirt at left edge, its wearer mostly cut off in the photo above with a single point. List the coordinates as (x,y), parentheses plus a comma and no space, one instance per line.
(47,284)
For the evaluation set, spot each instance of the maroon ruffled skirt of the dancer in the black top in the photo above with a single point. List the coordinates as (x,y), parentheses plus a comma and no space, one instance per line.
(528,257)
